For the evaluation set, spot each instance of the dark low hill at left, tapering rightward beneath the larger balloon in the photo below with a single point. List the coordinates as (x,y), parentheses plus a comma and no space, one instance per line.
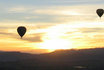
(15,56)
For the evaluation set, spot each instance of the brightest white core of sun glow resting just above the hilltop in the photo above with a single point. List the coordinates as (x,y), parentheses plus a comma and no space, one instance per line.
(57,44)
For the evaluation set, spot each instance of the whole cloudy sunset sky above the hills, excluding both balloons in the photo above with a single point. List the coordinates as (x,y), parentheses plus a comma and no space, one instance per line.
(51,25)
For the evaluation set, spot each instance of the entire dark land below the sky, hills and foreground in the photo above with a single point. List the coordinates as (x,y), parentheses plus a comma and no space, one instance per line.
(87,59)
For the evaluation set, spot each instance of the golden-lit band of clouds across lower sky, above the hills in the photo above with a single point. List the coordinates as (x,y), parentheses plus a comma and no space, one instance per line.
(60,36)
